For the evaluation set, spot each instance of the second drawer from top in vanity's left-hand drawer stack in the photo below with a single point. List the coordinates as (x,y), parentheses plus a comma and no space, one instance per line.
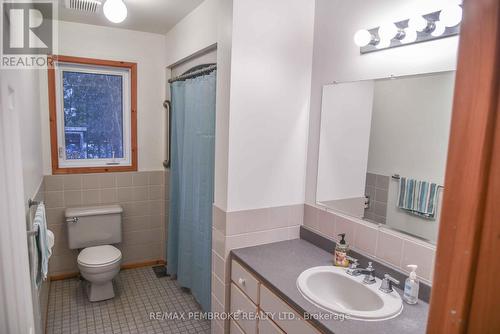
(240,303)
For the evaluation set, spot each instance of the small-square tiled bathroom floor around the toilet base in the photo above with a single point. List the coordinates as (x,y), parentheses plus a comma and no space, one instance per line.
(138,292)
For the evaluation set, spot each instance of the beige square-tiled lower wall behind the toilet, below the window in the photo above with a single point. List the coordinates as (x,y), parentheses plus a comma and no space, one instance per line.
(143,196)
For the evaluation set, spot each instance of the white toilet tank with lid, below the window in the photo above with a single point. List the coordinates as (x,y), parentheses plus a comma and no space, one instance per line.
(94,226)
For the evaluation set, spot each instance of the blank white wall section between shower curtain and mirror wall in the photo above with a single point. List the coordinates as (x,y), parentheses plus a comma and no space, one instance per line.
(269,103)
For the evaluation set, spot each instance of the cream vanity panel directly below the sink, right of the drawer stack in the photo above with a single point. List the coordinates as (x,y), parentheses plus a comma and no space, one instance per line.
(271,303)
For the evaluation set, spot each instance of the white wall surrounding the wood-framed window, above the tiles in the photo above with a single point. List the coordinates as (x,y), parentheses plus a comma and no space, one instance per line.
(148,51)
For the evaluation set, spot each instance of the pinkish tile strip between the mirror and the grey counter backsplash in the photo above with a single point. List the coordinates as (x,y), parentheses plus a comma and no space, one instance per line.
(394,249)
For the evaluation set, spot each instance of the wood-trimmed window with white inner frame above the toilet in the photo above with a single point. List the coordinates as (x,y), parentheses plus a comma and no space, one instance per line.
(93,115)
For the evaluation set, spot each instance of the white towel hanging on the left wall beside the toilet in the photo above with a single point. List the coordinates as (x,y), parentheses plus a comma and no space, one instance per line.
(45,242)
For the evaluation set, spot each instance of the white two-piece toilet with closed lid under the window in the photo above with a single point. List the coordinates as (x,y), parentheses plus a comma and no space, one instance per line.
(94,230)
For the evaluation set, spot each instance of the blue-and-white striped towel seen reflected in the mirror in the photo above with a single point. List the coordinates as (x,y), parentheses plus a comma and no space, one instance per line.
(418,197)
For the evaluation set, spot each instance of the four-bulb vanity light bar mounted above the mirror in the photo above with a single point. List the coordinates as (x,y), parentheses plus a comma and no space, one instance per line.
(419,28)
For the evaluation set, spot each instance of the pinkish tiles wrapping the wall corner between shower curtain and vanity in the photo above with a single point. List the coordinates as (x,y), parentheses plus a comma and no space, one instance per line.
(240,229)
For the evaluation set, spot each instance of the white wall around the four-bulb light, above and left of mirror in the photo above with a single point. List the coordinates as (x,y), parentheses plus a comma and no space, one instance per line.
(337,58)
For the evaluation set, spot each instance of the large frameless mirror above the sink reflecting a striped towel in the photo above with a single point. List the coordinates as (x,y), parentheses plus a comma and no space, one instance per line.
(383,147)
